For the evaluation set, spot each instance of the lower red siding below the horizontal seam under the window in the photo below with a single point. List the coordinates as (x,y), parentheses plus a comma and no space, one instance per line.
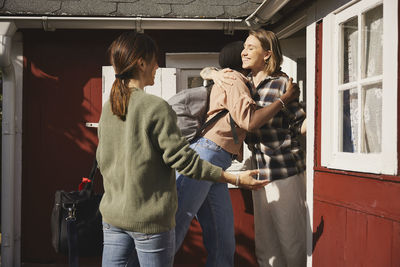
(353,238)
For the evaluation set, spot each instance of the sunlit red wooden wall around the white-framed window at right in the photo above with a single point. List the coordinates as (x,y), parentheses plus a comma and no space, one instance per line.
(356,216)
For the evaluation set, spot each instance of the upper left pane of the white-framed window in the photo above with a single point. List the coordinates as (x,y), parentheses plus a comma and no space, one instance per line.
(350,41)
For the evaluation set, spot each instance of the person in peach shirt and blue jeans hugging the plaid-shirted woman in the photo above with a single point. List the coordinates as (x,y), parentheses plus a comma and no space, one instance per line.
(211,201)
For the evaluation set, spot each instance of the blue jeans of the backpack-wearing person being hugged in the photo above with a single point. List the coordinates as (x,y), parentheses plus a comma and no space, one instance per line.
(211,203)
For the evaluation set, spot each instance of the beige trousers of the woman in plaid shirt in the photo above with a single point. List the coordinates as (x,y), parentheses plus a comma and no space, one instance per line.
(280,223)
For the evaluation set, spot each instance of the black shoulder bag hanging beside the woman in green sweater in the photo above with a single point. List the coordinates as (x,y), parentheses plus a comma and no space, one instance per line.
(76,223)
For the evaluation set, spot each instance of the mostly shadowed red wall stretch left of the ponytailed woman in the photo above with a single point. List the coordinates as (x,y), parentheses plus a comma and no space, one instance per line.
(62,91)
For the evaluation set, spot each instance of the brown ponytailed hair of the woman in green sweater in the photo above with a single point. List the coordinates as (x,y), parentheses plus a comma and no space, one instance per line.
(125,53)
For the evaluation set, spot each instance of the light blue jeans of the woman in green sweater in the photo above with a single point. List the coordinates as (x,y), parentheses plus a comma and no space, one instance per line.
(125,248)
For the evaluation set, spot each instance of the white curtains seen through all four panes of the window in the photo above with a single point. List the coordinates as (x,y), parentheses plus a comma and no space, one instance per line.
(371,94)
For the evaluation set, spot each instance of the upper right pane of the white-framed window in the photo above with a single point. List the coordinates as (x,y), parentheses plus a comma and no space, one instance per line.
(372,41)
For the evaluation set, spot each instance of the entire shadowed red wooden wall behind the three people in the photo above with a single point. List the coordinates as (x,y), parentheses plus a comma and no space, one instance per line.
(61,91)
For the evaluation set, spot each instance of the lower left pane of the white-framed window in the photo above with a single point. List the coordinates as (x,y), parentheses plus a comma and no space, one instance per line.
(349,121)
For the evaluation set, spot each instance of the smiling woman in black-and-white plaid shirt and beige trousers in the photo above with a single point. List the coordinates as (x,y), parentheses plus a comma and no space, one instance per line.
(279,207)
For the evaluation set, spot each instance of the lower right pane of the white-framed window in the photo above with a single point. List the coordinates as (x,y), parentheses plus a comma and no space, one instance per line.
(372,118)
